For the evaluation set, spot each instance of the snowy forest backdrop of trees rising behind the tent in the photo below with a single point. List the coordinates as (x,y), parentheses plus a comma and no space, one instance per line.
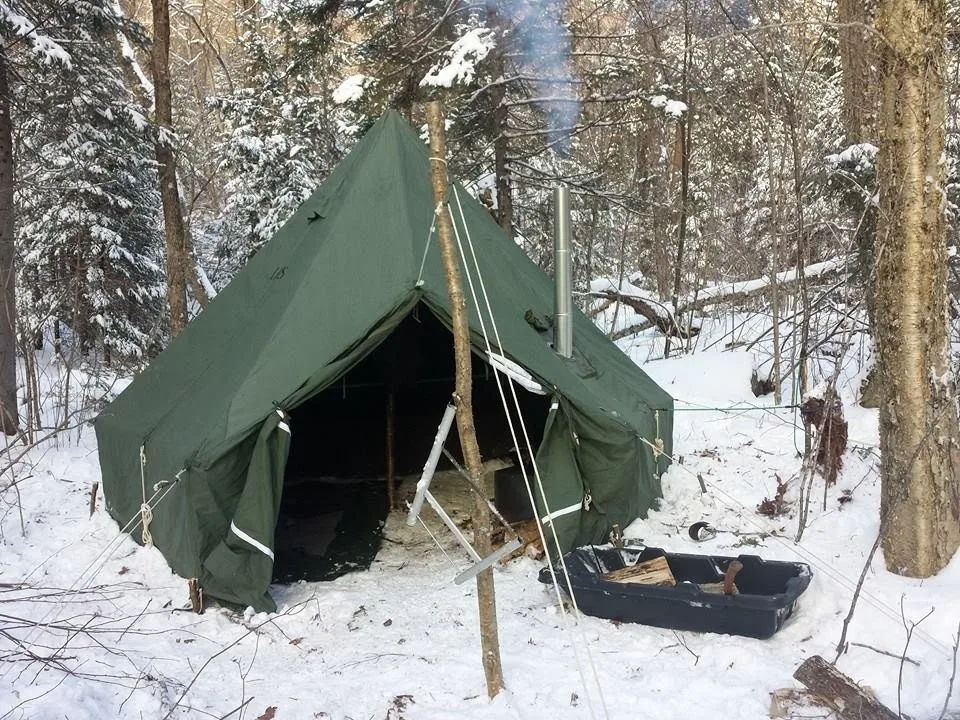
(705,142)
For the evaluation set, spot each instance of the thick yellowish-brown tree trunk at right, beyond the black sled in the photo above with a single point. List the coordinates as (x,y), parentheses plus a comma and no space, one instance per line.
(919,438)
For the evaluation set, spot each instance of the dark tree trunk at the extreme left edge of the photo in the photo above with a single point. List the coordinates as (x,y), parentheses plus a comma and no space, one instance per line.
(9,417)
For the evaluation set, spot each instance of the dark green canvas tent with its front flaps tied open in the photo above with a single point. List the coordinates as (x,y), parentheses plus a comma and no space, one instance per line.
(206,427)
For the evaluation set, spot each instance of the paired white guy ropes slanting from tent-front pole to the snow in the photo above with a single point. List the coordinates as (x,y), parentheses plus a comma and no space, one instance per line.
(529,445)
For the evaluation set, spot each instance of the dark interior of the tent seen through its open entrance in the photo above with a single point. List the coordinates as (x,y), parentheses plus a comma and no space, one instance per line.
(335,493)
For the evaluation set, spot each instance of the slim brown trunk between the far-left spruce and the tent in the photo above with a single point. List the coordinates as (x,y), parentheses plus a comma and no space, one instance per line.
(169,192)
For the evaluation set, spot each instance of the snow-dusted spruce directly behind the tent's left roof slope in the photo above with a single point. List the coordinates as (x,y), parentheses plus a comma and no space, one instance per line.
(281,134)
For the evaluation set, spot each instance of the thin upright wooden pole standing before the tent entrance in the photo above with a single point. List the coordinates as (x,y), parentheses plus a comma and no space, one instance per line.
(489,640)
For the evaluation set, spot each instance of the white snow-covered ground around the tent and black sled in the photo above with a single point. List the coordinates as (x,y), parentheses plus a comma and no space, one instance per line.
(401,640)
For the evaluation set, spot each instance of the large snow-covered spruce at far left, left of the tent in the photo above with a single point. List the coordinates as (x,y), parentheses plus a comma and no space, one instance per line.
(88,233)
